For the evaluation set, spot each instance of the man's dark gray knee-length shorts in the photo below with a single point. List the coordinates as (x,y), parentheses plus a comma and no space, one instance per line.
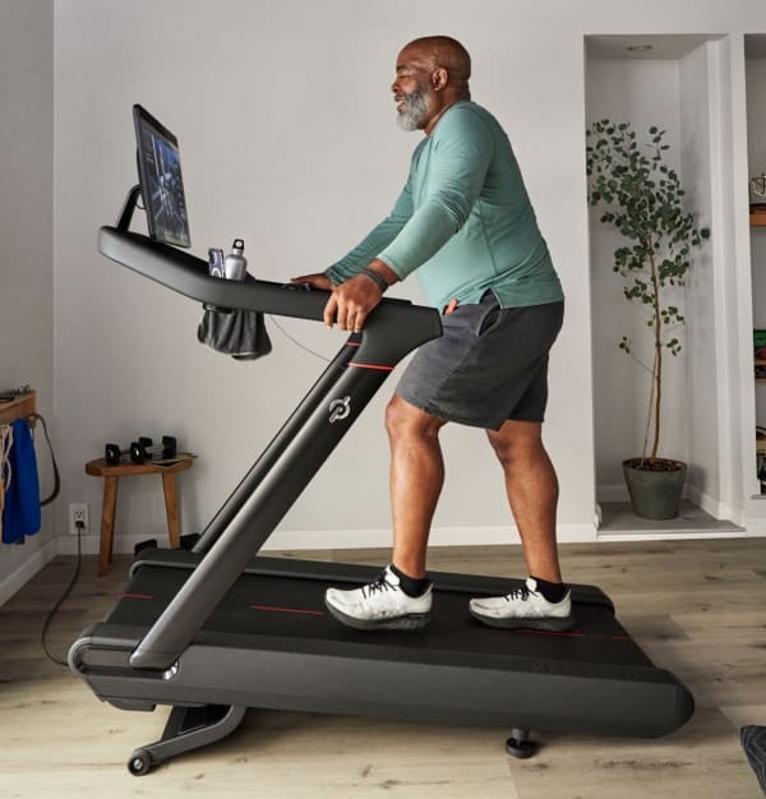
(490,365)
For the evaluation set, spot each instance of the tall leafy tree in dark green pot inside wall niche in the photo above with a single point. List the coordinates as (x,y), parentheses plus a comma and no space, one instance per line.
(642,198)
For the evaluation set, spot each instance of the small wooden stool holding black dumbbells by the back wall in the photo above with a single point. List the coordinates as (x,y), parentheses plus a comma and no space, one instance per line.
(111,475)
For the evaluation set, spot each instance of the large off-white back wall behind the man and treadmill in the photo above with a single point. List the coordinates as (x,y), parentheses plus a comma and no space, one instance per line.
(288,140)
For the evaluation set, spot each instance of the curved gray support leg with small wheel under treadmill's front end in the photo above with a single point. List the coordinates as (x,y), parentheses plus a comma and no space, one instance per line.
(187,728)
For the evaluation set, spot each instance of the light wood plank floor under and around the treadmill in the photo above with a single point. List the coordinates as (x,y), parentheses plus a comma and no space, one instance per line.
(697,607)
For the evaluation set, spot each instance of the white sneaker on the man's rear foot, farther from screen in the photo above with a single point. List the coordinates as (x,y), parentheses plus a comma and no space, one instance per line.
(524,607)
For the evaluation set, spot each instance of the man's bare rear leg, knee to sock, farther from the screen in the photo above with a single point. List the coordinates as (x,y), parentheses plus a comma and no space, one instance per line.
(533,491)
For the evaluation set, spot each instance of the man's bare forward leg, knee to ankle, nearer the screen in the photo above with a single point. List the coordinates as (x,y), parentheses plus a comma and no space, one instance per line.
(417,476)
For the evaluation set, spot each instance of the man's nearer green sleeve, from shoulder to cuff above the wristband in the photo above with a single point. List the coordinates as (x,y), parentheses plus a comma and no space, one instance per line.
(460,158)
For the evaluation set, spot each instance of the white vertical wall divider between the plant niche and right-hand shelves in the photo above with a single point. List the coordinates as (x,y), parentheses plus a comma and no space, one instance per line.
(721,315)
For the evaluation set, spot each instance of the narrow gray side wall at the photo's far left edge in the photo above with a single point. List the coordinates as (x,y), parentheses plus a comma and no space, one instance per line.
(26,230)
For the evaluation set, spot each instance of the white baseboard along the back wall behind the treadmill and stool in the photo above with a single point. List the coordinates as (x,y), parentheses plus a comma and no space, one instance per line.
(350,539)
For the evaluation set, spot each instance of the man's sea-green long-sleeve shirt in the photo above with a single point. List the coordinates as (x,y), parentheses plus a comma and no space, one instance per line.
(463,220)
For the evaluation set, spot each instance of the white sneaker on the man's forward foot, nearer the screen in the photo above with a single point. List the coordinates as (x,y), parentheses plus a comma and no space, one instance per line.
(380,605)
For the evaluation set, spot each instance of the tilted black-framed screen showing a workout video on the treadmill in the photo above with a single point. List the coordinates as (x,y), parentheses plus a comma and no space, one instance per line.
(162,187)
